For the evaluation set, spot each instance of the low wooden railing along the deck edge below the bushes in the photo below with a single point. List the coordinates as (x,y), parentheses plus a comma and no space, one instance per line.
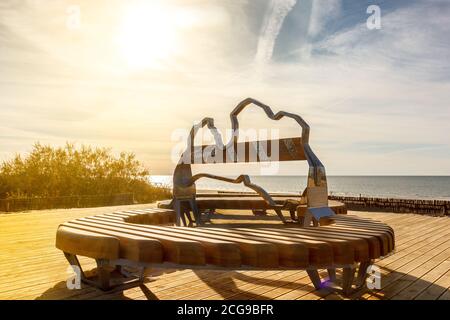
(65,202)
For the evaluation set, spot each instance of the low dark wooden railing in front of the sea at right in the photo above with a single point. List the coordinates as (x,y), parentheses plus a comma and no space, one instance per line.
(434,207)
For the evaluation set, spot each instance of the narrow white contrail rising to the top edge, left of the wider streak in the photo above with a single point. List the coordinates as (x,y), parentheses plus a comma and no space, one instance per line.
(277,12)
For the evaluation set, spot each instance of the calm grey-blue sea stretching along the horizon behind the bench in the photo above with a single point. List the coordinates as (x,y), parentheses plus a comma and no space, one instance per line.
(410,187)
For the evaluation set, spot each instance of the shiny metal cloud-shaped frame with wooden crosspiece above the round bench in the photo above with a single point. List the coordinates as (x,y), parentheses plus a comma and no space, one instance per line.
(292,149)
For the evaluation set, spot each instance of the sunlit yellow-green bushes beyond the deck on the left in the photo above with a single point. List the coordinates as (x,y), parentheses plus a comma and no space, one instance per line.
(66,171)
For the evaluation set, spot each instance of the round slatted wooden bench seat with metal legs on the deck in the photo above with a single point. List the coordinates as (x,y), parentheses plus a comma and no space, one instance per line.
(145,238)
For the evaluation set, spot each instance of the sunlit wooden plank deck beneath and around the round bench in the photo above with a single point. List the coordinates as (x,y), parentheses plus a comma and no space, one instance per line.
(32,268)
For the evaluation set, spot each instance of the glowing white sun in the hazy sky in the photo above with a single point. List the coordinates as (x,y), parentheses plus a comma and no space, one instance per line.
(148,35)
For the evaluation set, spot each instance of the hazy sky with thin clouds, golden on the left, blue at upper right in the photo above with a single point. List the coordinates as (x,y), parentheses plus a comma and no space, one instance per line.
(134,75)
